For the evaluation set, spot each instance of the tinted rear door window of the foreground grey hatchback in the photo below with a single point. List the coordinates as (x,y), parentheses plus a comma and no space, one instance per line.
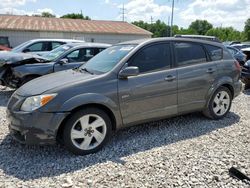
(189,53)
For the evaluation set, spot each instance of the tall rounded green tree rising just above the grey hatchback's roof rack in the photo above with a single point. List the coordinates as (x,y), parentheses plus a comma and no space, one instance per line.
(200,26)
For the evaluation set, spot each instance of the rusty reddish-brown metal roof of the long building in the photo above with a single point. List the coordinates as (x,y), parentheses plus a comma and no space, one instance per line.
(30,23)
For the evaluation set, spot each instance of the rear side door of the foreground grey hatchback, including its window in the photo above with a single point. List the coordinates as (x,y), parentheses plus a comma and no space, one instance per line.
(196,74)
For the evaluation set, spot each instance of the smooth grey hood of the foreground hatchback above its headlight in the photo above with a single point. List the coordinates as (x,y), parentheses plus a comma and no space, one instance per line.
(53,81)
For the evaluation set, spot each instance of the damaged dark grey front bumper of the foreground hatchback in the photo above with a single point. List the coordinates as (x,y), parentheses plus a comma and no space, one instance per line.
(34,128)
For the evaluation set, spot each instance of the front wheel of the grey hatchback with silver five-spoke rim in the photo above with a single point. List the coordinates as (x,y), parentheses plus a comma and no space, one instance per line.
(87,131)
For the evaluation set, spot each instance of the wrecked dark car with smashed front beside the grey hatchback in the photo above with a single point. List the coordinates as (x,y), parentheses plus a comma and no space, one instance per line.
(67,56)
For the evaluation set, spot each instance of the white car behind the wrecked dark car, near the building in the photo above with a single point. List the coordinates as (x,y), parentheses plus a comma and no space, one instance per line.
(42,46)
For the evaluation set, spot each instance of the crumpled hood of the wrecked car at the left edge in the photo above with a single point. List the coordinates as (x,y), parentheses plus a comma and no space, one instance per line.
(13,58)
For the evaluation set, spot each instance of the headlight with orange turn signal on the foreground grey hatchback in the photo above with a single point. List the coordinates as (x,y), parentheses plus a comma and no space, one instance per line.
(35,102)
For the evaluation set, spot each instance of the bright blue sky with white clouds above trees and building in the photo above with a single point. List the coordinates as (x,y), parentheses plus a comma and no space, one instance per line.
(218,12)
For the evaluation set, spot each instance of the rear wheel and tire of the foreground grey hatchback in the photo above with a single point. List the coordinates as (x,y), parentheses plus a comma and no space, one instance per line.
(220,104)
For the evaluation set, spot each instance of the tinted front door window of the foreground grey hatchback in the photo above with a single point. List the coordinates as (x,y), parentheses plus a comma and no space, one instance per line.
(152,58)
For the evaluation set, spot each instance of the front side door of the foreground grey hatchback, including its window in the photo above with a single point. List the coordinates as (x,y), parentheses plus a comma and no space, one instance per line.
(153,93)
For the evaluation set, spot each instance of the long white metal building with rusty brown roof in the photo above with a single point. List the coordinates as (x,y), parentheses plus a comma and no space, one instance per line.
(23,28)
